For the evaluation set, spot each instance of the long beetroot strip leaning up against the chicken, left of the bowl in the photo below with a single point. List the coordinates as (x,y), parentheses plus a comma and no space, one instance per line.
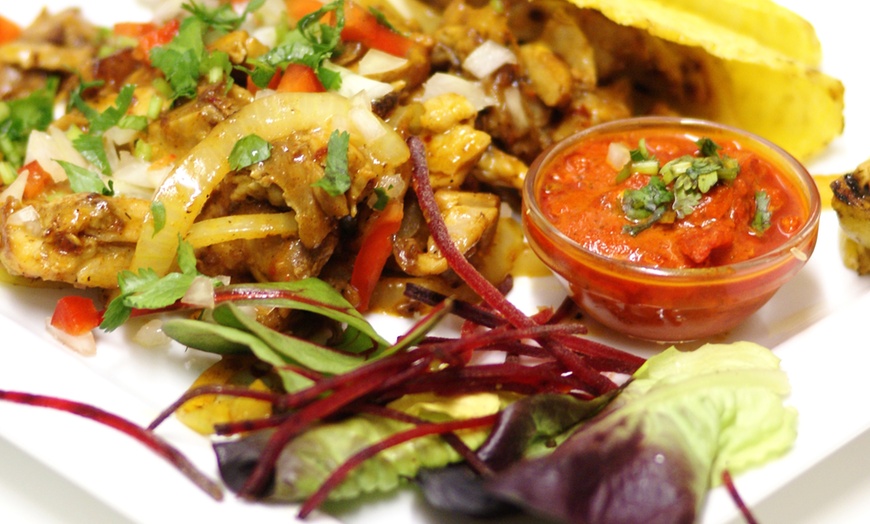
(597,382)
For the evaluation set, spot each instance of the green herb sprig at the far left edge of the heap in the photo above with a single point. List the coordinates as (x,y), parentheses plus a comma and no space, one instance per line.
(21,116)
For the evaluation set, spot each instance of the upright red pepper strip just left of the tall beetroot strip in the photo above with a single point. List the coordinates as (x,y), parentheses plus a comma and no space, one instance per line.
(377,245)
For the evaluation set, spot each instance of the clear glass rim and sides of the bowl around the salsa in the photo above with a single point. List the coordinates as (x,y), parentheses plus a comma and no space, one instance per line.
(667,304)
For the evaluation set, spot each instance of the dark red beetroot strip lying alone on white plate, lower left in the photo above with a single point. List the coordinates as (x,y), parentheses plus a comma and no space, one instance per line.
(152,441)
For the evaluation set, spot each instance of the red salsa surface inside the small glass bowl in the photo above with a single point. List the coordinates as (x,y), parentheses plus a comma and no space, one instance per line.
(741,216)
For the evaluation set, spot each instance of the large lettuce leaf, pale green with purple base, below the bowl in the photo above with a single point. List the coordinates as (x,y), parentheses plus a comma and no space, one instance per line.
(655,451)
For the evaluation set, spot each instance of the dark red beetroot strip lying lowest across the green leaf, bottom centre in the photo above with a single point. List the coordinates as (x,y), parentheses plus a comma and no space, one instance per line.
(337,476)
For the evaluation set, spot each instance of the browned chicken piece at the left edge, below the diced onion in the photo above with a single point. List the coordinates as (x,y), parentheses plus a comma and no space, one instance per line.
(83,239)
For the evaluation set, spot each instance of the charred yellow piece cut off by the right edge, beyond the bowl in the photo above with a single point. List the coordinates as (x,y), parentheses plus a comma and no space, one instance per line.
(851,202)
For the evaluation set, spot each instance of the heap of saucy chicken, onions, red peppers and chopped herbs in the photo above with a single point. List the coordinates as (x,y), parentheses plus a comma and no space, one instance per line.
(156,112)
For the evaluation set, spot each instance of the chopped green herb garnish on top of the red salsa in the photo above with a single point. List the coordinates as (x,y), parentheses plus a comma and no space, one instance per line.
(677,186)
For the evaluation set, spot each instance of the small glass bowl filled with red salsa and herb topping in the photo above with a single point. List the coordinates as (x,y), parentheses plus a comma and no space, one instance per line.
(670,229)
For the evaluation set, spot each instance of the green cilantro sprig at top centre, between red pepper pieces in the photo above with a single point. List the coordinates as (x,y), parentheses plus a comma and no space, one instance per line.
(310,43)
